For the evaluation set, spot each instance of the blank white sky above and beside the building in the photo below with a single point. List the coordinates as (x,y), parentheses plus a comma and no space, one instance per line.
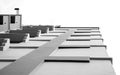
(102,13)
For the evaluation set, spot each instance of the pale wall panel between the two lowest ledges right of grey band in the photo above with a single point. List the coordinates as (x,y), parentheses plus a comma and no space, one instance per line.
(92,52)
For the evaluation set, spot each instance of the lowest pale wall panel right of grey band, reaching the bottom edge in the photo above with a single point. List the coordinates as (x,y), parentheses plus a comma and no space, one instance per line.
(67,68)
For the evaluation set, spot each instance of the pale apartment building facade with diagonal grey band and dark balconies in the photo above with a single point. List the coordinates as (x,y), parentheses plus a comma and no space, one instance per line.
(59,51)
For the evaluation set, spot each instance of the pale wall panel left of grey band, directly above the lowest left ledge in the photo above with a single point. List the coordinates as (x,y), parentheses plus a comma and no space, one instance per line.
(14,53)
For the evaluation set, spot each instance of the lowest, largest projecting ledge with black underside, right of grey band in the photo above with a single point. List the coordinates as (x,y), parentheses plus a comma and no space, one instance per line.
(80,59)
